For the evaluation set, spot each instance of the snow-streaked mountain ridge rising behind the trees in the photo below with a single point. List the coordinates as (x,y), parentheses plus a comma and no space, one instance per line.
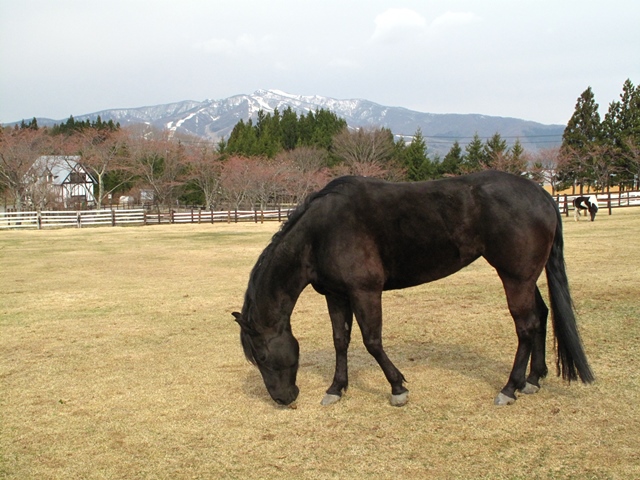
(214,119)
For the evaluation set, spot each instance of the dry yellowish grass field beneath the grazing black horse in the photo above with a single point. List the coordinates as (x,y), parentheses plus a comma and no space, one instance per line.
(119,358)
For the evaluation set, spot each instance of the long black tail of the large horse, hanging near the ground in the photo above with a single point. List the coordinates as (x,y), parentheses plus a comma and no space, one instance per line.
(571,360)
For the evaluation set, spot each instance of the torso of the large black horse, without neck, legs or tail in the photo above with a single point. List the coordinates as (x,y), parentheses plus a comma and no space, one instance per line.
(404,234)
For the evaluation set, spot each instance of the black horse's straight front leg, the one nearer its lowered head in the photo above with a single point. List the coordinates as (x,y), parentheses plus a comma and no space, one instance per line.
(341,322)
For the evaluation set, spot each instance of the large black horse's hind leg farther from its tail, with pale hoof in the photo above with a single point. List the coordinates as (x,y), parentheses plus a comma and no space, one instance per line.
(521,299)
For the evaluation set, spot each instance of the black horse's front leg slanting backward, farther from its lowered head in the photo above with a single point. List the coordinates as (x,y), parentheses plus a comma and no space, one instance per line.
(367,307)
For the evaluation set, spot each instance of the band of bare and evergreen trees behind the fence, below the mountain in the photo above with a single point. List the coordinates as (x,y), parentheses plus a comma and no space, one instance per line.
(282,156)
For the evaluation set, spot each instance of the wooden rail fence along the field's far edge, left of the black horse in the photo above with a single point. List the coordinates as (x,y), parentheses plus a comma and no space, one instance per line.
(108,217)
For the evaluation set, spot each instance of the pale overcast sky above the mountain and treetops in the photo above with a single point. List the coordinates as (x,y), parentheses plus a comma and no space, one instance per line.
(528,59)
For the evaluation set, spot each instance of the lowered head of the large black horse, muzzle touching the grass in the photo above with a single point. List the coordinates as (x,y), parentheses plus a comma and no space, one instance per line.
(275,352)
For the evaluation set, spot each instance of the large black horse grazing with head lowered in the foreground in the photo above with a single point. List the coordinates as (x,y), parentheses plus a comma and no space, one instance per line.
(360,236)
